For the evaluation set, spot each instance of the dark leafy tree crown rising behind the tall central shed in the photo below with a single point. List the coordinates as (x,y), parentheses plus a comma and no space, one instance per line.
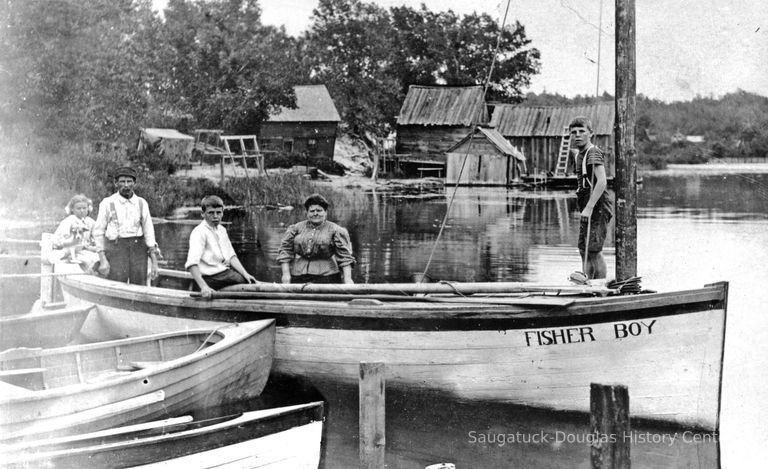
(368,56)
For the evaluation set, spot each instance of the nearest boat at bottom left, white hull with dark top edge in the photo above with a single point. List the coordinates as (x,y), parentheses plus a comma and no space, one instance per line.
(285,437)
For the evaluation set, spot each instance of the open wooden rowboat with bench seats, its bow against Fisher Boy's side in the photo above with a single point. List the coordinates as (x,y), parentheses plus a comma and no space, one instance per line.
(99,385)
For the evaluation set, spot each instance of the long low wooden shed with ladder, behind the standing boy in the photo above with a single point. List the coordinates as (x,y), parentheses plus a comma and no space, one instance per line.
(538,131)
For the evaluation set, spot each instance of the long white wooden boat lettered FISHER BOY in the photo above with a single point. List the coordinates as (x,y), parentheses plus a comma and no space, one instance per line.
(536,349)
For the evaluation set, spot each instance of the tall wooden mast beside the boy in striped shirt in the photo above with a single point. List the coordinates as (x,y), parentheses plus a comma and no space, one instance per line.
(624,129)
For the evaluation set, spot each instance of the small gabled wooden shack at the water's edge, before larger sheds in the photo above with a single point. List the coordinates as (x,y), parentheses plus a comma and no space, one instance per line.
(490,160)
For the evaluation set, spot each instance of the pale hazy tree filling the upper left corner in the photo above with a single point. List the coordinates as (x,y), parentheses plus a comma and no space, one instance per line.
(79,69)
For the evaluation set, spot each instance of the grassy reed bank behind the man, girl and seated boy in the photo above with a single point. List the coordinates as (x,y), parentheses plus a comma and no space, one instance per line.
(39,180)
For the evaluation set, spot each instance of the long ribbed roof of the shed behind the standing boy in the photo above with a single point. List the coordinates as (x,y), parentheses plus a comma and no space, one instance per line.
(548,121)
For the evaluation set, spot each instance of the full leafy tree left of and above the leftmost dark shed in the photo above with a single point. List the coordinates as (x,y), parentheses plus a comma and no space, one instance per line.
(226,68)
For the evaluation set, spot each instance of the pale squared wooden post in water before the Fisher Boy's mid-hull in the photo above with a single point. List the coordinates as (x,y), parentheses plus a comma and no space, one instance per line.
(372,436)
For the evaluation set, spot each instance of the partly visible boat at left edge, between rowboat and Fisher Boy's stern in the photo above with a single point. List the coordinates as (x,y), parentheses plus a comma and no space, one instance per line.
(51,328)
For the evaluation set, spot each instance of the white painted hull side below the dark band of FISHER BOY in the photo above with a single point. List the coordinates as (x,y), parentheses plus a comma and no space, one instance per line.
(672,374)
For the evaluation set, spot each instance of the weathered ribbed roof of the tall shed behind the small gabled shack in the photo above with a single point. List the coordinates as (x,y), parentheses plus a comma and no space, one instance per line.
(443,105)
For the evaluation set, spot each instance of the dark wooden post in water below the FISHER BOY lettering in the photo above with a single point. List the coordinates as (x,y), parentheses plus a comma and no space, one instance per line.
(609,424)
